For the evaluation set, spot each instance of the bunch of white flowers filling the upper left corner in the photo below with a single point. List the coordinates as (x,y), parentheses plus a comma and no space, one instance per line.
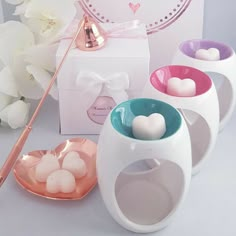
(27,54)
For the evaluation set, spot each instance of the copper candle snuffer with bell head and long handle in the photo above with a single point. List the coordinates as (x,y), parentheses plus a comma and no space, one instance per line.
(89,36)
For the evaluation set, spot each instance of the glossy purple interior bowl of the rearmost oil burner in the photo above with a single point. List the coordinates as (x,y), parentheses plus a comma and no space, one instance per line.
(190,47)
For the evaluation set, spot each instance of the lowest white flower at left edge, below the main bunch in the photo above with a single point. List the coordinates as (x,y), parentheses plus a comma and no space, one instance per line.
(15,115)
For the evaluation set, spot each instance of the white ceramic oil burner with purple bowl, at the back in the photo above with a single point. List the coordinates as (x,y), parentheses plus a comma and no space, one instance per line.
(219,61)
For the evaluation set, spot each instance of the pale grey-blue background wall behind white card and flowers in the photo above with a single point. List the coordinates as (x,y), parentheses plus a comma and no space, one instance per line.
(220,20)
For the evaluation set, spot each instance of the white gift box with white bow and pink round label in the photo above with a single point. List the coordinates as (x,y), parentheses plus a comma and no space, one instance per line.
(92,83)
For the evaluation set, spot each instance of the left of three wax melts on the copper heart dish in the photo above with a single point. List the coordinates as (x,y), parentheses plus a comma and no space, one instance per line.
(48,164)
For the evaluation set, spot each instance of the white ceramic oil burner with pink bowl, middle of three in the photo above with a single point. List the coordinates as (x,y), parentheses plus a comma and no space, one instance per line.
(194,94)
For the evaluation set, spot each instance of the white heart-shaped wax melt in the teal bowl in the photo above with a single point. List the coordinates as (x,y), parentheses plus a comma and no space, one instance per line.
(149,128)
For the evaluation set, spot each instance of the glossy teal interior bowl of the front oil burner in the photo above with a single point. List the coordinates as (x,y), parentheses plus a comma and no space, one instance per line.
(122,116)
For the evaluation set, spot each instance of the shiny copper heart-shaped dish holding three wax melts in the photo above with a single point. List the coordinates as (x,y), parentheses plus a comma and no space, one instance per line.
(25,167)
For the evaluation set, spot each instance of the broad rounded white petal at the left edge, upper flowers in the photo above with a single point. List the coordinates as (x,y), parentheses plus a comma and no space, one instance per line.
(15,38)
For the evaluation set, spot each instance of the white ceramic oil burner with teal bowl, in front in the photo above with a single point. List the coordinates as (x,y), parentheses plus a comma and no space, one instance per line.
(142,199)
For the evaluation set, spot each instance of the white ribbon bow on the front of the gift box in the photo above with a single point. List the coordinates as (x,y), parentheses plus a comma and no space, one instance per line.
(92,84)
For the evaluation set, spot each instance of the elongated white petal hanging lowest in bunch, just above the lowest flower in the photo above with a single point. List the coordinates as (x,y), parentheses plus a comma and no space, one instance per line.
(27,86)
